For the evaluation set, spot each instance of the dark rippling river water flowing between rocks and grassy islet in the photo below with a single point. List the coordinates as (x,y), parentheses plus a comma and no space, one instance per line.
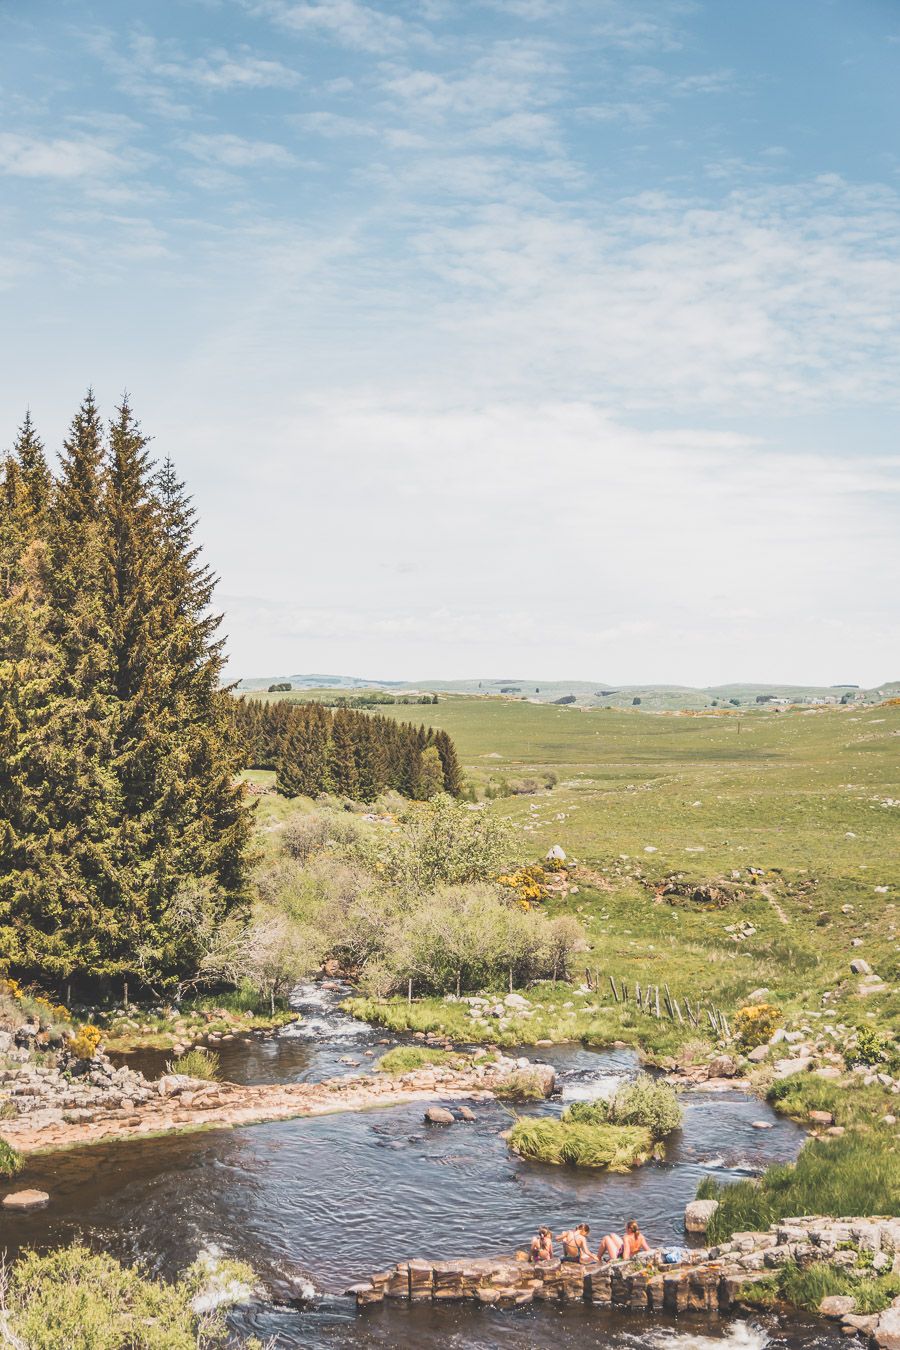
(320,1204)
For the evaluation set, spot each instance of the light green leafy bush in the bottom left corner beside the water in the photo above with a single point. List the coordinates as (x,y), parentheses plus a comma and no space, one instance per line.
(86,1301)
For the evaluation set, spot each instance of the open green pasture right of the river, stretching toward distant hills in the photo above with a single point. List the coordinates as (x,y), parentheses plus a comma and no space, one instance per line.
(801,796)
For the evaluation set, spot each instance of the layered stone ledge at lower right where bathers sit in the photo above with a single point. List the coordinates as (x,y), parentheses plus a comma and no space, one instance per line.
(709,1280)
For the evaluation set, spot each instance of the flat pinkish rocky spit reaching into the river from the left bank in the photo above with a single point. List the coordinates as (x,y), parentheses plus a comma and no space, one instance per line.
(67,1105)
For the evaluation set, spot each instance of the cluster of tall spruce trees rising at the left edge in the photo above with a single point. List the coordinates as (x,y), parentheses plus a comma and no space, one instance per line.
(121,813)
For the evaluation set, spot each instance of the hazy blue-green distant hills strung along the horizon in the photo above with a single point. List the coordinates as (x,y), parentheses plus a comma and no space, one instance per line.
(597,693)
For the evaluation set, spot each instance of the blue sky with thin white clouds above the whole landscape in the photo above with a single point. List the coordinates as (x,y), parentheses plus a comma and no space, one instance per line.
(493,338)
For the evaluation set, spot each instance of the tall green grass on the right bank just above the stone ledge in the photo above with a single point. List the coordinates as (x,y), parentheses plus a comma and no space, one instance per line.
(856,1174)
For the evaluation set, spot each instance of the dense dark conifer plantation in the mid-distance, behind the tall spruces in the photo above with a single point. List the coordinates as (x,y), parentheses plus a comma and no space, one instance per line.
(343,751)
